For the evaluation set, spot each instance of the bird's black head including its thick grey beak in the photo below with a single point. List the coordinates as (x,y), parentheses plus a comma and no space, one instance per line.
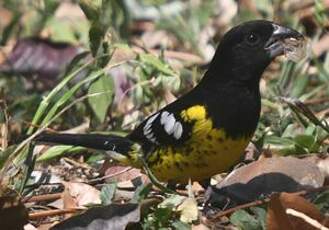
(247,49)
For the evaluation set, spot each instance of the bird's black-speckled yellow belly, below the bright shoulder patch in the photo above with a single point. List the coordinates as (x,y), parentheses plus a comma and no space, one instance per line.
(203,158)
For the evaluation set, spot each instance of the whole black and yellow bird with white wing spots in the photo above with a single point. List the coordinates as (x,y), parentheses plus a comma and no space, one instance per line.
(205,131)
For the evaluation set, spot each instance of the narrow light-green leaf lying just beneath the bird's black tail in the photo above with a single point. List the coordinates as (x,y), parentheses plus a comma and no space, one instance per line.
(59,150)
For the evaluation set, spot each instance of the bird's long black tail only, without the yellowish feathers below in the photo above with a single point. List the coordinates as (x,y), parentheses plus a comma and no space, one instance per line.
(94,141)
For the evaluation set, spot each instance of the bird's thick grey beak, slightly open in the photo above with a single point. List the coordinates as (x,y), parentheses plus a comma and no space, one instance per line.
(280,38)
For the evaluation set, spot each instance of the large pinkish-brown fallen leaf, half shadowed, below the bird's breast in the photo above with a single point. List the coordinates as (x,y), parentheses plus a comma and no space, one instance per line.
(262,178)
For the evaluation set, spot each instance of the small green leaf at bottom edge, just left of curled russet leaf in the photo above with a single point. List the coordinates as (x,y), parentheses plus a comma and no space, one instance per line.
(243,220)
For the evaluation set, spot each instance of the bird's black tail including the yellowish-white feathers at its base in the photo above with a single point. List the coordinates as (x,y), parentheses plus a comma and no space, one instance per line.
(119,148)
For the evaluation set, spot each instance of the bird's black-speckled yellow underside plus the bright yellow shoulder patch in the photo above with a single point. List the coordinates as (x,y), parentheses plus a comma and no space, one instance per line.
(208,152)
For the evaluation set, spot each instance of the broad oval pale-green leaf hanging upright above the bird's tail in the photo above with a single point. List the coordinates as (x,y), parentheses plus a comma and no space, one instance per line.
(100,104)
